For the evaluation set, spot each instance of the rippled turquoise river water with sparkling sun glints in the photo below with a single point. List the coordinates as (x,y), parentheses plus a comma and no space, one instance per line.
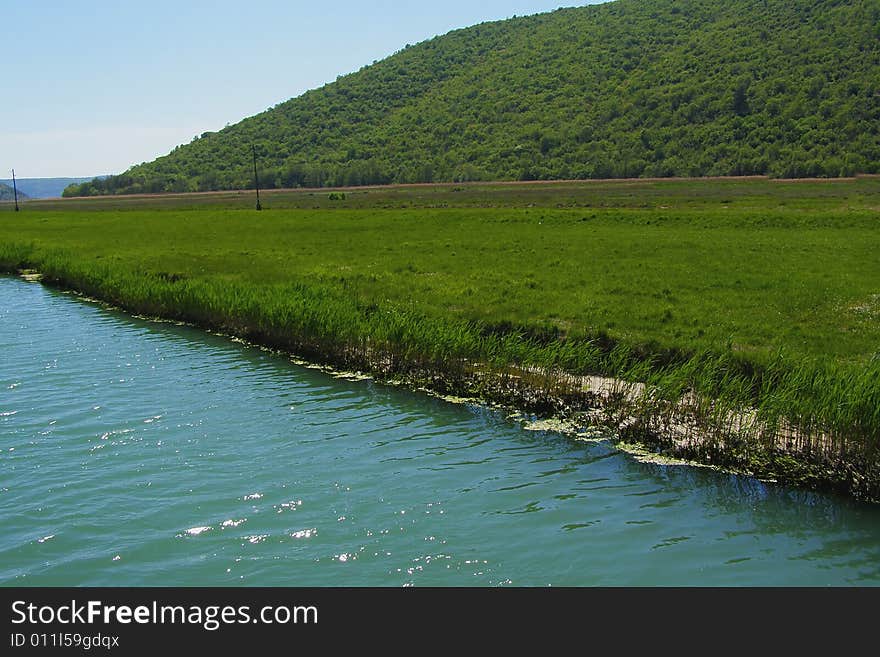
(141,453)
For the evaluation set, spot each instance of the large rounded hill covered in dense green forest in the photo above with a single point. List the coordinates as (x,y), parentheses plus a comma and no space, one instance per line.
(788,88)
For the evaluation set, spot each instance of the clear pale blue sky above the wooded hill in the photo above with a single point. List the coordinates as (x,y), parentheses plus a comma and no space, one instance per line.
(93,88)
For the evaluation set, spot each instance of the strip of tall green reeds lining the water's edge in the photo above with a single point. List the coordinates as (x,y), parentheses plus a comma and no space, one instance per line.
(807,421)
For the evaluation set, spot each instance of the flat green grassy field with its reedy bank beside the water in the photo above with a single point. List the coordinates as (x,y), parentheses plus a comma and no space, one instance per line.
(750,309)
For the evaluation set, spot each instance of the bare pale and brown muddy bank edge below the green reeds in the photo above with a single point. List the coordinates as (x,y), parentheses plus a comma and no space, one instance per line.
(577,407)
